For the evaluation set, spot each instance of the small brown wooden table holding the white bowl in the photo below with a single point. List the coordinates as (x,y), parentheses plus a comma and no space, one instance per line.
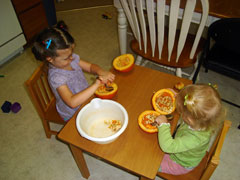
(135,150)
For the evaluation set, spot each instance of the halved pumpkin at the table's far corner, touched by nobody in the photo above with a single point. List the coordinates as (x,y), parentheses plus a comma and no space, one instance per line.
(124,63)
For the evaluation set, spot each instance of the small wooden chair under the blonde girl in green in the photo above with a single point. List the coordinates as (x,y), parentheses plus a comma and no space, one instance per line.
(208,164)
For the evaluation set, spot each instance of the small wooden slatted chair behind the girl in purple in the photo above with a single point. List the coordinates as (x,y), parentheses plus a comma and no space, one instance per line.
(43,99)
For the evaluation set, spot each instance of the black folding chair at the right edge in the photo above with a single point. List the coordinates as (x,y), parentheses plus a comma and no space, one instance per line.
(221,52)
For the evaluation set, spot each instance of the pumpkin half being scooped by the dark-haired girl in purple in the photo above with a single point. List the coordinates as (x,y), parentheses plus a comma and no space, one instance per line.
(104,93)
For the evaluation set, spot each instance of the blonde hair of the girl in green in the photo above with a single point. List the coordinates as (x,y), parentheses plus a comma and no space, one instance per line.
(202,104)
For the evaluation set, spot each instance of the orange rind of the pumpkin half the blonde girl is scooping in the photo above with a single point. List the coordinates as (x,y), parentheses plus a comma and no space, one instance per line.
(147,128)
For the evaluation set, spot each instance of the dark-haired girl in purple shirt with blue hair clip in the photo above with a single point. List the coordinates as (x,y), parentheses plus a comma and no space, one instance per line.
(65,73)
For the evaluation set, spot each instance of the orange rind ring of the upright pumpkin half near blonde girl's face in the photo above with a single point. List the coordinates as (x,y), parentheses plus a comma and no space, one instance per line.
(157,94)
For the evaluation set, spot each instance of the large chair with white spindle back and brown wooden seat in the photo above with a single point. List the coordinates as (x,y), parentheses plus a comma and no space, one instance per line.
(171,48)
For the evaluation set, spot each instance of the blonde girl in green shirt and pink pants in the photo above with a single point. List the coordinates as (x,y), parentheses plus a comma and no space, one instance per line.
(201,113)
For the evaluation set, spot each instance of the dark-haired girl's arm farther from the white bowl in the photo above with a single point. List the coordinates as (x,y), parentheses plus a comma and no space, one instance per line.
(104,76)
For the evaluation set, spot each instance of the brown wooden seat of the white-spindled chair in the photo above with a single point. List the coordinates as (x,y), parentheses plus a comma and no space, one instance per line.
(184,60)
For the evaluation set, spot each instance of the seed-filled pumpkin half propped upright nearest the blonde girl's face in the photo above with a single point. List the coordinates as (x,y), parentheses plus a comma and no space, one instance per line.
(163,101)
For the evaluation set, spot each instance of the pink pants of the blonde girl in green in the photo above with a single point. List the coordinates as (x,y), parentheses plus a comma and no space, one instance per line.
(170,167)
